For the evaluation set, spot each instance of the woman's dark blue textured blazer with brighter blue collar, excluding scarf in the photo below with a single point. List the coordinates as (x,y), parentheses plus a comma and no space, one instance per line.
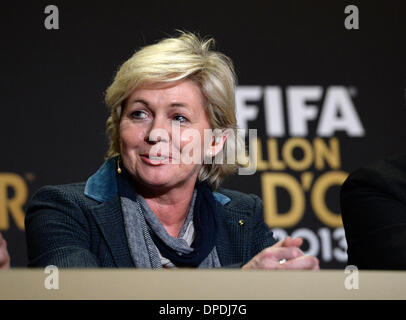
(81,225)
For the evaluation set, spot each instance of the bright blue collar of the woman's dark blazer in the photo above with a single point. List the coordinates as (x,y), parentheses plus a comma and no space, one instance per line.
(102,185)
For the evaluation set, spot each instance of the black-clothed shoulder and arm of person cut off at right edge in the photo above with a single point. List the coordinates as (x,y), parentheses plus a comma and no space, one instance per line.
(374,217)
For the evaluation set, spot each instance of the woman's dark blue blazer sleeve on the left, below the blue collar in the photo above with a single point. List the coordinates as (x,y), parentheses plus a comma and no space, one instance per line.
(57,231)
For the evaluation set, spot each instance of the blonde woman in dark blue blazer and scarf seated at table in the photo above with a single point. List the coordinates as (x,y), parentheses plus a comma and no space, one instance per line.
(156,201)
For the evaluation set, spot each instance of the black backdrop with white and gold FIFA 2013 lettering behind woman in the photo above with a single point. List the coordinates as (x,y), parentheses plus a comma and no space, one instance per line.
(52,85)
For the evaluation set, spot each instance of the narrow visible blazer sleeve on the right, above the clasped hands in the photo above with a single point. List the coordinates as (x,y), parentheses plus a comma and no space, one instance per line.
(262,236)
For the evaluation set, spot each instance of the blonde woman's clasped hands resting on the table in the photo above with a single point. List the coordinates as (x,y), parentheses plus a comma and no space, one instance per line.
(283,255)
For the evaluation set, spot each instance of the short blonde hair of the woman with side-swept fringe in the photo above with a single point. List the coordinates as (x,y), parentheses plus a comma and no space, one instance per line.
(184,57)
